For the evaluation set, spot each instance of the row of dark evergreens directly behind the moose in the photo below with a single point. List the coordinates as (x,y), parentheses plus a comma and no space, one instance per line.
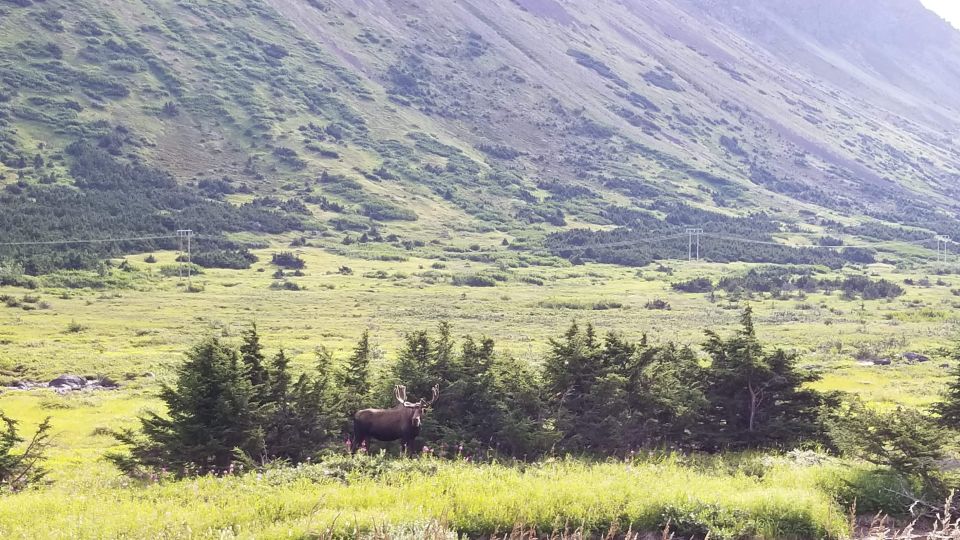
(595,395)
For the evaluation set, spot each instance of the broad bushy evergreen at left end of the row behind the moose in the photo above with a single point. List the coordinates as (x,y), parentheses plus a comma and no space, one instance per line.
(210,420)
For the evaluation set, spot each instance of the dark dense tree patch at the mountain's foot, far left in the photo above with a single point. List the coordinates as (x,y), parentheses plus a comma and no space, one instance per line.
(117,199)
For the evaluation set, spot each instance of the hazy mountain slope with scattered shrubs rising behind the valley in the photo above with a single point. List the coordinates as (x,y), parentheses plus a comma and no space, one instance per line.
(520,115)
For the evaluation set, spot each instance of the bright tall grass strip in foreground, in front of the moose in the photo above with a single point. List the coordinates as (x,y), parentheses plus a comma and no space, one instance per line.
(767,498)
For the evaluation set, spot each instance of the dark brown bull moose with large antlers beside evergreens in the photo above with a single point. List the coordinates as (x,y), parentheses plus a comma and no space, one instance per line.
(401,422)
